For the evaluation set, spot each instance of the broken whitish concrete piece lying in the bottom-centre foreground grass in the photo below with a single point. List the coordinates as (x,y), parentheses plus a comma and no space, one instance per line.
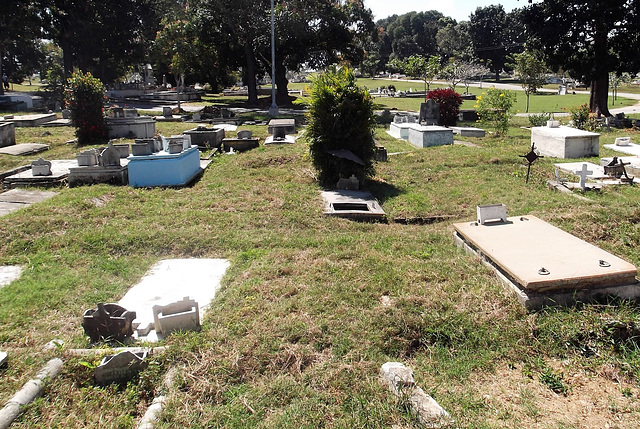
(399,379)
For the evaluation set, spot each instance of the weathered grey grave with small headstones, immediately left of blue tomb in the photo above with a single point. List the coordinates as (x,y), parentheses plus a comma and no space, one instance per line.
(110,169)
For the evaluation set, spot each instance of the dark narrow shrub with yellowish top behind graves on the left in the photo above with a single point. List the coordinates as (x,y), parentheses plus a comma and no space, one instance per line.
(85,97)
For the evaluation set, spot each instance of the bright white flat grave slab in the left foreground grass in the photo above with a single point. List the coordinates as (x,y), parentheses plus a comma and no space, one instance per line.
(168,282)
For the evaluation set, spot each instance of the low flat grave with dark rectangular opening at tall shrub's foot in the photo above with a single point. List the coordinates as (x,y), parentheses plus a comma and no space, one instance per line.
(352,204)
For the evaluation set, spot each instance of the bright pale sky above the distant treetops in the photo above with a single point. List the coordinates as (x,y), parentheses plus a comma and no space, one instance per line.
(456,9)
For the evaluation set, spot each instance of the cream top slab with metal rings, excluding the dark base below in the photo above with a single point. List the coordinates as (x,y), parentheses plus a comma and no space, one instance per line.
(523,246)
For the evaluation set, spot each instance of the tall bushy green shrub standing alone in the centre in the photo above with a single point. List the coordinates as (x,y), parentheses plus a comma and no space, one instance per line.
(340,117)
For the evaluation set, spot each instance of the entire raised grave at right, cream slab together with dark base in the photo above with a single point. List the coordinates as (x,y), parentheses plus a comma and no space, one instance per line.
(545,266)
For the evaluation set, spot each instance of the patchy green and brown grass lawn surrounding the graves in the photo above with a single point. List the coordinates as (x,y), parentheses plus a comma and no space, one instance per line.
(312,306)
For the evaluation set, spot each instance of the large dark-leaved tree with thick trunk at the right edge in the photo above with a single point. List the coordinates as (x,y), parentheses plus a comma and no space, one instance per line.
(589,39)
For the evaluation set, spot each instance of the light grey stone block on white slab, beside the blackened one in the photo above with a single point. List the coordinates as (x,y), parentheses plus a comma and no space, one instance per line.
(178,316)
